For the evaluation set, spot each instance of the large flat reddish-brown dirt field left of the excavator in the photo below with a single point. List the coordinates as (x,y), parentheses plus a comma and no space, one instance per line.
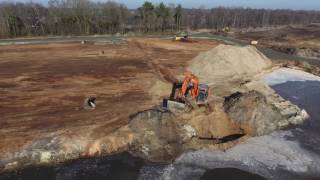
(43,87)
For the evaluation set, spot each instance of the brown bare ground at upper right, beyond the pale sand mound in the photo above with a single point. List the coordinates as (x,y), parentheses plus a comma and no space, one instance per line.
(302,41)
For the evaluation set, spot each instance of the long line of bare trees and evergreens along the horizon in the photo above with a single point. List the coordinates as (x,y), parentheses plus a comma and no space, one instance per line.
(85,17)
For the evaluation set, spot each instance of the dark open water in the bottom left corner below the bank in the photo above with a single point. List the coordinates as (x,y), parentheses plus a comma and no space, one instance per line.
(119,167)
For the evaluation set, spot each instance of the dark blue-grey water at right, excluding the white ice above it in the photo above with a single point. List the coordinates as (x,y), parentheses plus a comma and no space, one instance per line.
(306,95)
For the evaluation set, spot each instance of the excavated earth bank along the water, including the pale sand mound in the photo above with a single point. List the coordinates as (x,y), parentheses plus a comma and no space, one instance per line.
(242,106)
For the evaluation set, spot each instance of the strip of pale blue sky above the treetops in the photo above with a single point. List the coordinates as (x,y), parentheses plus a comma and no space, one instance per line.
(270,4)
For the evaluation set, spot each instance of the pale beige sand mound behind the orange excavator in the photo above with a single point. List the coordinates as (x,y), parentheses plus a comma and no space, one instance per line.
(226,61)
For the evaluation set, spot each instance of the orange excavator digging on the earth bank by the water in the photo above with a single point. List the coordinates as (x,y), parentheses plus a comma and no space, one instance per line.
(189,93)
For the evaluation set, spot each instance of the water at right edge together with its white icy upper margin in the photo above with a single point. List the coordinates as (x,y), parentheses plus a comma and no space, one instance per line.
(303,90)
